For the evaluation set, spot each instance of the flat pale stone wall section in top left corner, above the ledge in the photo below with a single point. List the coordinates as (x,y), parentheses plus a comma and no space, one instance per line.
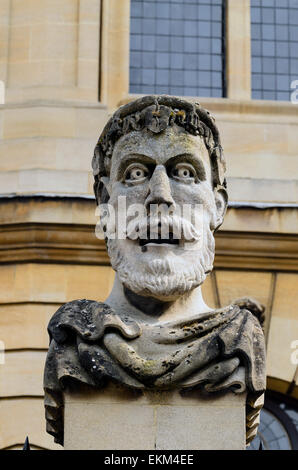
(50,49)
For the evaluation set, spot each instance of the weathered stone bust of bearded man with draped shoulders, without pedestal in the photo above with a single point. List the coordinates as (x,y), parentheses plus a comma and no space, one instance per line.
(161,155)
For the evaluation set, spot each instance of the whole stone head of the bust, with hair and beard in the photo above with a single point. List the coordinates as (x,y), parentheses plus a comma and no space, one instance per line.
(159,160)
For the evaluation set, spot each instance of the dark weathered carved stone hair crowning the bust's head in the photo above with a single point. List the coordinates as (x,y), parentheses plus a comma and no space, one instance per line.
(156,113)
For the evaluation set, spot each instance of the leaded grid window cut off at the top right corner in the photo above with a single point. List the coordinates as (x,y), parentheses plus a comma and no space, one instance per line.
(274,43)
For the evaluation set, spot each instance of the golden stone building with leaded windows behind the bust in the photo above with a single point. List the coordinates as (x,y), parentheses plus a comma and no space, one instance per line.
(66,65)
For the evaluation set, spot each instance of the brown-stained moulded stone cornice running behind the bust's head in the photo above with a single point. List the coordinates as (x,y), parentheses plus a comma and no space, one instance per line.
(77,244)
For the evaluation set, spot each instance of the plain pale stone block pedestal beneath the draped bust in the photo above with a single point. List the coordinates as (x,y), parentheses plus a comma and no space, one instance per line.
(115,418)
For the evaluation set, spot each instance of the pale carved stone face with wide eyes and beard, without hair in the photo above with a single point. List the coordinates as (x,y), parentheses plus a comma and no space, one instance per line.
(171,169)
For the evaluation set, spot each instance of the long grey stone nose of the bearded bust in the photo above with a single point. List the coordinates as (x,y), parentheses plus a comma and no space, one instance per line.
(160,189)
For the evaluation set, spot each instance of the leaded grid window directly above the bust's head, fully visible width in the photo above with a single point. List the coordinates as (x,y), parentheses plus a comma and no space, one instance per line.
(176,47)
